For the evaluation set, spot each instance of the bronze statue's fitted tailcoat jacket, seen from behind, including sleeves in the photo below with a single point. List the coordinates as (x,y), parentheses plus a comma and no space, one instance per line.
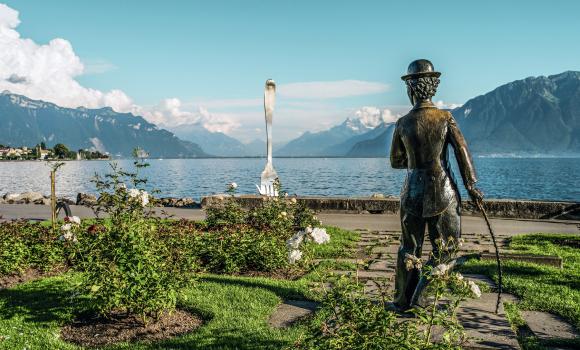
(420,142)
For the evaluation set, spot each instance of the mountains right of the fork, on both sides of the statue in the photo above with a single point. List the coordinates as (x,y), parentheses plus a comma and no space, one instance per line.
(536,115)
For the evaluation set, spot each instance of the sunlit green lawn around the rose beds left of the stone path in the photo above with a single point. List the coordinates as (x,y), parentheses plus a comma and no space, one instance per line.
(235,309)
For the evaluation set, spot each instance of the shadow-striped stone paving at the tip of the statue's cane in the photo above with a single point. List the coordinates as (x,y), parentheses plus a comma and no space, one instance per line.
(485,329)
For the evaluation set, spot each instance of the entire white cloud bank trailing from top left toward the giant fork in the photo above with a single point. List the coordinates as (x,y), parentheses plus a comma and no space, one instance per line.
(48,72)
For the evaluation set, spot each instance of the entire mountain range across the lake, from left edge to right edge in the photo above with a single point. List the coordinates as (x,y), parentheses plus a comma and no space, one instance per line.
(528,116)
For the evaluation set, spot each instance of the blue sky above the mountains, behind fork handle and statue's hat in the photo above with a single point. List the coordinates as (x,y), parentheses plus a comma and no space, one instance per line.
(213,57)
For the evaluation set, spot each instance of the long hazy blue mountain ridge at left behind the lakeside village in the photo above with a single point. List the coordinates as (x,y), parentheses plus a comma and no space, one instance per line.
(27,122)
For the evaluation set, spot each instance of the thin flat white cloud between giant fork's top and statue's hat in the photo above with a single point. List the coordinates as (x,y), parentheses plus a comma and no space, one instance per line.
(330,89)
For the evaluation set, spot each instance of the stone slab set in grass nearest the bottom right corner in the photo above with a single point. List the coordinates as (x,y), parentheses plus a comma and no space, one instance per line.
(547,326)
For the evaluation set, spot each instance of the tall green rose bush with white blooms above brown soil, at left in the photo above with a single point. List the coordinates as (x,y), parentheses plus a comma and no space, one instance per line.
(126,265)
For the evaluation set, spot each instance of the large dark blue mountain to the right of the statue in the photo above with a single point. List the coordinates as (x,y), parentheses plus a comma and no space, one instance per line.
(532,115)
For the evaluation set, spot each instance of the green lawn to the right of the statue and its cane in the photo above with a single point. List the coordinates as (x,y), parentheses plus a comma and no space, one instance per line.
(539,287)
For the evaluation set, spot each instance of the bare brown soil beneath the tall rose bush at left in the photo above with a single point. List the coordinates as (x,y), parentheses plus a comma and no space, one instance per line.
(119,327)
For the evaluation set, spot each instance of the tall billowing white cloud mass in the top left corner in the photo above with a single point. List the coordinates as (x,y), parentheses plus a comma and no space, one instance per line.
(48,72)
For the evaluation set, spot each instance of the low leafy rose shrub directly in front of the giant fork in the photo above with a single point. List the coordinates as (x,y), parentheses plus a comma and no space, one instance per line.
(255,240)
